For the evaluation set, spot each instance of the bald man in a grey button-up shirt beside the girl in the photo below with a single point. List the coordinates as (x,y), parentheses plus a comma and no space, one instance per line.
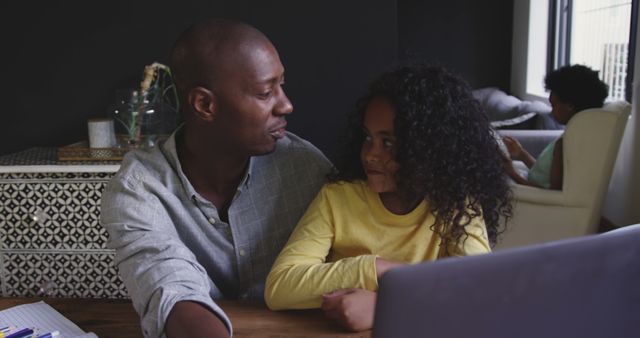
(203,215)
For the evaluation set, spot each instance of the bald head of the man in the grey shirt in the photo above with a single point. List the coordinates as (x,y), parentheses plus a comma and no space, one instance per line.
(229,79)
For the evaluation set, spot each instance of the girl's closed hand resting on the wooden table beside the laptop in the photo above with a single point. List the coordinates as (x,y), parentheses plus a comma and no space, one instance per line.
(352,308)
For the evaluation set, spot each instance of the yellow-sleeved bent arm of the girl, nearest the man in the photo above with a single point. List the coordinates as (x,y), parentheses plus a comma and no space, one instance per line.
(300,274)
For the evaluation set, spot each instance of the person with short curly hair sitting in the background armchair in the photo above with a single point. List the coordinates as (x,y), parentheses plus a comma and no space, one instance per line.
(572,89)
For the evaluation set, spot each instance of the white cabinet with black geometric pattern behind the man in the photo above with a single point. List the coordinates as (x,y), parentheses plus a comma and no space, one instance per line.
(50,235)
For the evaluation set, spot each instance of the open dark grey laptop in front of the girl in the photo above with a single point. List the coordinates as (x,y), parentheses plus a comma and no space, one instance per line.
(584,287)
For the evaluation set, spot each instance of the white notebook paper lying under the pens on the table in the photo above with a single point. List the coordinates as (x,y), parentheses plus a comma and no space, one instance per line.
(42,318)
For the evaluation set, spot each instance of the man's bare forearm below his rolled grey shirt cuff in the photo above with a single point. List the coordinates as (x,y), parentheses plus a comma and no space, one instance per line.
(191,319)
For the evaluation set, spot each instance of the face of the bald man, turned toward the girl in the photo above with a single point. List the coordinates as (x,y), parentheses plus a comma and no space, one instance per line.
(251,103)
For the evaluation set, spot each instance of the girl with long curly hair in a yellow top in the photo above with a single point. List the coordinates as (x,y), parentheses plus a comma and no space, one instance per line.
(421,180)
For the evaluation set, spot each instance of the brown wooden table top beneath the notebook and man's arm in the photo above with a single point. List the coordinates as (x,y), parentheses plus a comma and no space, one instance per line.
(116,318)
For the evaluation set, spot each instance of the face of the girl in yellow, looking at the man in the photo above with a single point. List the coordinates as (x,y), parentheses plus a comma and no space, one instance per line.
(378,152)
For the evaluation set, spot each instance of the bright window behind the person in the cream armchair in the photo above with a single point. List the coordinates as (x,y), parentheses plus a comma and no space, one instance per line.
(597,33)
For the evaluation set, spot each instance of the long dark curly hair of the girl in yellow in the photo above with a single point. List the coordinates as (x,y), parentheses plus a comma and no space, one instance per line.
(445,149)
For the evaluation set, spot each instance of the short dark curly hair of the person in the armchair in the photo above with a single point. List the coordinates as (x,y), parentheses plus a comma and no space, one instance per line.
(577,85)
